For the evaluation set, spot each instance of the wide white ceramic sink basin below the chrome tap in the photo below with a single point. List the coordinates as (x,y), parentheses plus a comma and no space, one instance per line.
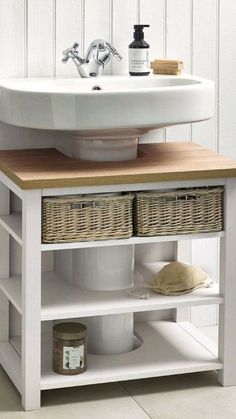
(126,104)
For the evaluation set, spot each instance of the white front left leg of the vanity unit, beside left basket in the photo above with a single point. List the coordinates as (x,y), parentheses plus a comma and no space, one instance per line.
(31,299)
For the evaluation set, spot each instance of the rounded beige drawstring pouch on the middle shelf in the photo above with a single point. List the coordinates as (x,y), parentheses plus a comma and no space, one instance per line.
(178,278)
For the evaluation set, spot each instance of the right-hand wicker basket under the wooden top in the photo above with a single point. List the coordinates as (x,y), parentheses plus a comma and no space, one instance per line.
(181,211)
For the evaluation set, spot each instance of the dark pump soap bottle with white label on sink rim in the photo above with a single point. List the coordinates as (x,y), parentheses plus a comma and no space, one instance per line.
(139,53)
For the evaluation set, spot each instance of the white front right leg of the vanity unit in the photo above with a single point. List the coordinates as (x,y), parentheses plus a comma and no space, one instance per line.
(227,313)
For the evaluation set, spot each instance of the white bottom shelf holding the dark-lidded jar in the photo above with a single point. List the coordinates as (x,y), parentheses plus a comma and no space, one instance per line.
(168,348)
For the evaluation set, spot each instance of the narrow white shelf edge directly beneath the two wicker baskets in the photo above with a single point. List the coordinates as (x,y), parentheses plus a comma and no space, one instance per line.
(132,240)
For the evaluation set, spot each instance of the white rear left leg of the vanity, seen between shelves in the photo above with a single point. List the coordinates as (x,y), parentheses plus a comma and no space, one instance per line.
(4,264)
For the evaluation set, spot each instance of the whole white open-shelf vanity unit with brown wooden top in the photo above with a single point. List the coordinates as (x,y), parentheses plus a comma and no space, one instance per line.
(160,347)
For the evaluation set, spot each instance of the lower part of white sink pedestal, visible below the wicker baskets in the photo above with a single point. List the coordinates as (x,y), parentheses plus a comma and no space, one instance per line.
(103,269)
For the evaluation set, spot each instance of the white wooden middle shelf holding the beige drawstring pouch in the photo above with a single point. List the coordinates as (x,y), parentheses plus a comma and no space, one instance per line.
(61,300)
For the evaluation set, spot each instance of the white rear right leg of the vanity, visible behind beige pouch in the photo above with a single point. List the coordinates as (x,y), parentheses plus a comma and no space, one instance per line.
(183,254)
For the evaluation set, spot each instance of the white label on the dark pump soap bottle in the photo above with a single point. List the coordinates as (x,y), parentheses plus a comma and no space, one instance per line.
(139,60)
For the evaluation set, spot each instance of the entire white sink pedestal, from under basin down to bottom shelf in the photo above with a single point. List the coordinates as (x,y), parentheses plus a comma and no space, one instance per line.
(104,269)
